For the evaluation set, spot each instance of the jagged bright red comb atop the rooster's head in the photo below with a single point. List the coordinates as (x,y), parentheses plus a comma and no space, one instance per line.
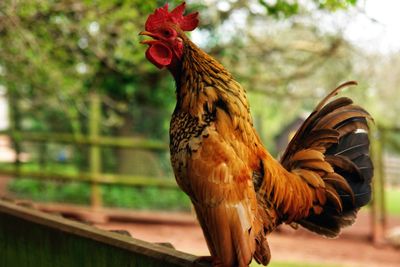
(161,15)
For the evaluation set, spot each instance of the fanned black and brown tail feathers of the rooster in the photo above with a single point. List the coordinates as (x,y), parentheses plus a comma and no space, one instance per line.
(339,130)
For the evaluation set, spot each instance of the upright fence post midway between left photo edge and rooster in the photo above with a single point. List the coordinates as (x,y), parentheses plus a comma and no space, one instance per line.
(94,151)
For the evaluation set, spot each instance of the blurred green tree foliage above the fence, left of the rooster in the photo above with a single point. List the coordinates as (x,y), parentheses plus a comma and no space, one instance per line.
(54,53)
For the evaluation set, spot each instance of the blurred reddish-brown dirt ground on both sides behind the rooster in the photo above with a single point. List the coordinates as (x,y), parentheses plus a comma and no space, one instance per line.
(352,248)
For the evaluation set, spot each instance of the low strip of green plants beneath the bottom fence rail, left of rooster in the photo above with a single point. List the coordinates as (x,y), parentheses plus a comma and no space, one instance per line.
(150,198)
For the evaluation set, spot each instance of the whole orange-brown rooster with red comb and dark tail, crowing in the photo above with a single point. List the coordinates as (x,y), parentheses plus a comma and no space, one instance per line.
(239,191)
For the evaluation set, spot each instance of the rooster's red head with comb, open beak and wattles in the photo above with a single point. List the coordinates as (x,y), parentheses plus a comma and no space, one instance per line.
(167,30)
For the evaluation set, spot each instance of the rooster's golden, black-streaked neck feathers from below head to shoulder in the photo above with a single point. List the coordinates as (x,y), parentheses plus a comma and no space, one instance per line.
(208,94)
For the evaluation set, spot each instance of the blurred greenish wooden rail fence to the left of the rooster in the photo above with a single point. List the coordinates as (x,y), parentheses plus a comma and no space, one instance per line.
(94,140)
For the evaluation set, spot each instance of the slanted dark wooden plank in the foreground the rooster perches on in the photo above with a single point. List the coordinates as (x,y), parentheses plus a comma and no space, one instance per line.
(32,238)
